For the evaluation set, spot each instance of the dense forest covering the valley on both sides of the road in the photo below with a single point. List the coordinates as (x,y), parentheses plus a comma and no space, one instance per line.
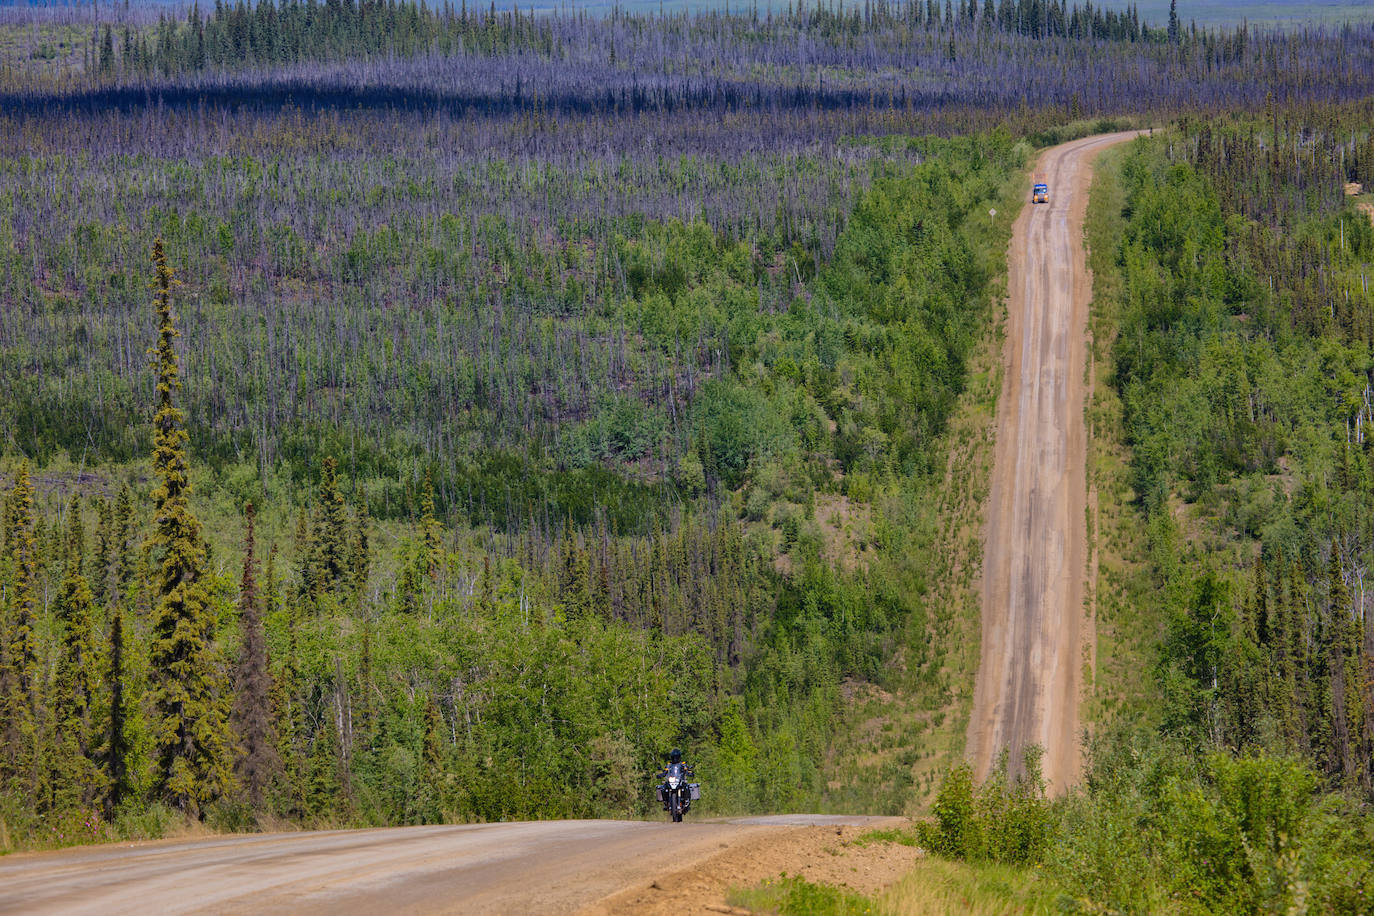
(531,393)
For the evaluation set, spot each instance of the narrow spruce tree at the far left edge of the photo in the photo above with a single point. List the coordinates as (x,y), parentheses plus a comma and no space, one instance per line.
(19,656)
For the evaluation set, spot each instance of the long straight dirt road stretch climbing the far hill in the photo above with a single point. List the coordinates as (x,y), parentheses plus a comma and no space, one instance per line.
(1034,630)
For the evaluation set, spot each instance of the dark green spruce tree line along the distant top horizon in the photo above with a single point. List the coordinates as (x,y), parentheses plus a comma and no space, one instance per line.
(273,32)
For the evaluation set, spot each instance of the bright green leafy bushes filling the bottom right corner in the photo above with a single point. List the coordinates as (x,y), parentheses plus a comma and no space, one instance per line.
(1156,830)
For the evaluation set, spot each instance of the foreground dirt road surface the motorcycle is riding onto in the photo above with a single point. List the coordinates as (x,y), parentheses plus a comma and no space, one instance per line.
(527,869)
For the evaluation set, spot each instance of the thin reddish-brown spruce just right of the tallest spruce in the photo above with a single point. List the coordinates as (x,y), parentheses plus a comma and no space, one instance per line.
(252,716)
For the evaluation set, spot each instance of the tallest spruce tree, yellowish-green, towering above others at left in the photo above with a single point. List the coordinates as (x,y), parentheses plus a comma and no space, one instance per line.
(190,729)
